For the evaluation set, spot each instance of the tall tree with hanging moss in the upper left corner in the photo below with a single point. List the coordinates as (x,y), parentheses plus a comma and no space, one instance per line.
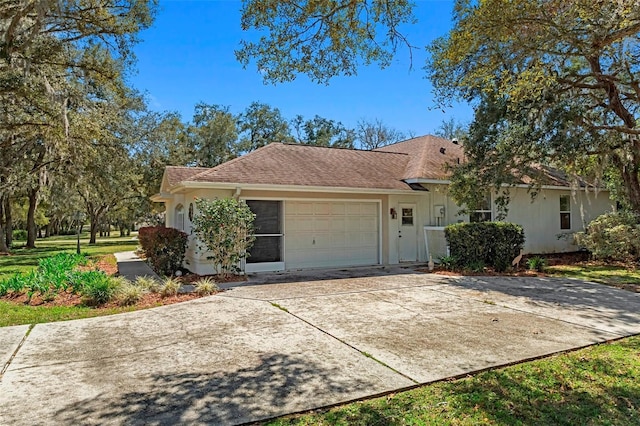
(50,54)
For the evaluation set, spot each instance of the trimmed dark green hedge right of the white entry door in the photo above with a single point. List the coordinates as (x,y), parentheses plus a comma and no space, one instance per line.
(493,244)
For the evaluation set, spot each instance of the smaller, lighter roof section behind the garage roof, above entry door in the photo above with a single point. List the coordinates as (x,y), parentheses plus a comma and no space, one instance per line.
(427,157)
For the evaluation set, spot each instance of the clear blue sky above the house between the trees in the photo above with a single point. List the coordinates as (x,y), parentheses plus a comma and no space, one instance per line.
(188,57)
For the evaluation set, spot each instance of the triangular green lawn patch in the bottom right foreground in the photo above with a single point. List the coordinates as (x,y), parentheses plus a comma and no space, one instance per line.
(595,386)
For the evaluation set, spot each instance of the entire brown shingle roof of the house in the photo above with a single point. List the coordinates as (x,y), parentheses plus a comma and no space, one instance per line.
(384,168)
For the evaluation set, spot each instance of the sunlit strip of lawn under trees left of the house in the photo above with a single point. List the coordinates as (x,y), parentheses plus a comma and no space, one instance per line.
(23,260)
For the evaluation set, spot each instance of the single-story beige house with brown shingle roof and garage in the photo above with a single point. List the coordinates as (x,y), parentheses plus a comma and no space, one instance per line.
(328,207)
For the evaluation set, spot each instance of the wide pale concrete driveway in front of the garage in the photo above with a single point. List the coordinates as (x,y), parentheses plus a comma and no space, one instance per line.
(259,351)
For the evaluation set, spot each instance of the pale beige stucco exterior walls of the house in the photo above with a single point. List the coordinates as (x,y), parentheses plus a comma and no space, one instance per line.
(540,218)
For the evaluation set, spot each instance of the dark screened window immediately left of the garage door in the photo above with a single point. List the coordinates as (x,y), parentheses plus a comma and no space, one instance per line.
(268,231)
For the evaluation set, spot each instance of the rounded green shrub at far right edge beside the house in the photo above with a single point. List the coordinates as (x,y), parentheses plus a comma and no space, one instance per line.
(613,236)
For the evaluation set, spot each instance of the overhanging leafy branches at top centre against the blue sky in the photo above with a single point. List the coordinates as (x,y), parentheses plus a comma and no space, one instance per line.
(322,38)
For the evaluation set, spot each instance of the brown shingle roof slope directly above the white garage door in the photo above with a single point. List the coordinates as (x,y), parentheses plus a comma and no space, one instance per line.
(284,164)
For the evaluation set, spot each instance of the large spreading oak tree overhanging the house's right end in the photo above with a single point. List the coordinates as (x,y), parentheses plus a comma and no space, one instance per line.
(555,82)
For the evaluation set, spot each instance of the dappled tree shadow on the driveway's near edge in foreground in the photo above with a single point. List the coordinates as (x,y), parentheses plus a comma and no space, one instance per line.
(277,385)
